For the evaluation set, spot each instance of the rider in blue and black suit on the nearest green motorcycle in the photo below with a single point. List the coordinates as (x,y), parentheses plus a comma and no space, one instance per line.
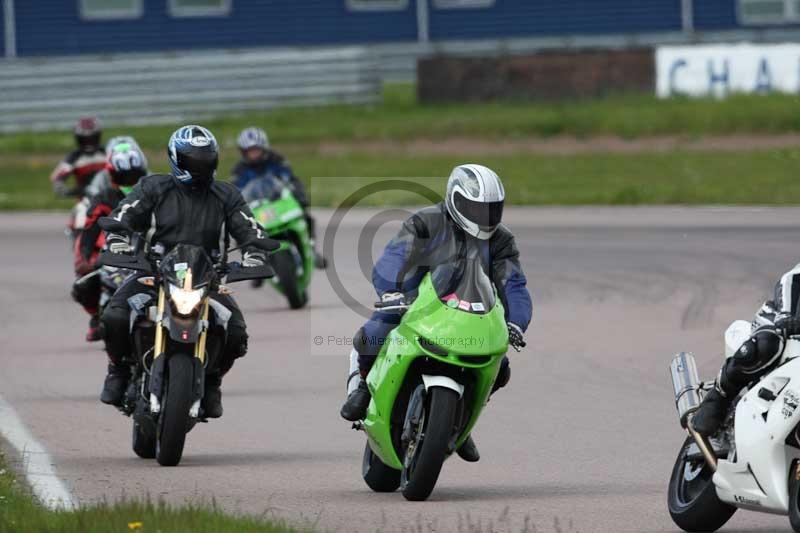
(472,210)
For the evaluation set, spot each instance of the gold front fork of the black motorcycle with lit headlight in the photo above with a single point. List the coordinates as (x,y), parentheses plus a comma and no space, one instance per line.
(159,361)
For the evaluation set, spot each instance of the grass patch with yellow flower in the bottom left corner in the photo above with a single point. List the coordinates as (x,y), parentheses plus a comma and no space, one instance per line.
(20,512)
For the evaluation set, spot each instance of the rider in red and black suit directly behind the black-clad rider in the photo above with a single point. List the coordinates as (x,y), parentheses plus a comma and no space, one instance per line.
(125,165)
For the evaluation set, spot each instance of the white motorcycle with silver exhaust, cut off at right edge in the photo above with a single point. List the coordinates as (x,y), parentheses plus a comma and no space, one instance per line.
(754,461)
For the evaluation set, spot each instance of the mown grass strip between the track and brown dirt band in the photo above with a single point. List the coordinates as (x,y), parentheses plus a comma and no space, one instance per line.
(768,177)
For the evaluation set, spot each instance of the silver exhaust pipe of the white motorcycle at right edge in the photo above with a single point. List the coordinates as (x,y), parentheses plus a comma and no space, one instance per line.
(687,387)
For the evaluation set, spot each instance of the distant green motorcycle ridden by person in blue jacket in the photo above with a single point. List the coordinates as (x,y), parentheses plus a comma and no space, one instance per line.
(280,214)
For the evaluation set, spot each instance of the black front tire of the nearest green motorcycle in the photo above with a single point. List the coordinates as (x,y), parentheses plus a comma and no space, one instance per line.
(422,471)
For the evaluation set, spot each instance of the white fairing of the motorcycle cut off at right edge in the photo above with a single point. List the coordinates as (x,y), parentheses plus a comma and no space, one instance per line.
(758,478)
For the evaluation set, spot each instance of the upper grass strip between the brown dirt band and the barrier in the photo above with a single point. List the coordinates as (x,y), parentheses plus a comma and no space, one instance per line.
(400,117)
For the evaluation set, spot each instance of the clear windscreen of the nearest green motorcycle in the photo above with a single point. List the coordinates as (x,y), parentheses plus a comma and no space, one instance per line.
(463,283)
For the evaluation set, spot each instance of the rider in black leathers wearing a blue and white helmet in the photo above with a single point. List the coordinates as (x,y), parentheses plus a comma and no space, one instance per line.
(187,206)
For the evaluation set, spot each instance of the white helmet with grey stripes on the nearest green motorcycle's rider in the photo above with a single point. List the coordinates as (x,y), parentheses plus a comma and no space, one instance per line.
(475,198)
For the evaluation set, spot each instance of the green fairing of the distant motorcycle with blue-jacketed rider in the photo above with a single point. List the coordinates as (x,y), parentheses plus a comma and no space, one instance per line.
(285,216)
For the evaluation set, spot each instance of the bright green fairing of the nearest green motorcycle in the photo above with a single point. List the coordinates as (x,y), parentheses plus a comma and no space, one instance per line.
(464,334)
